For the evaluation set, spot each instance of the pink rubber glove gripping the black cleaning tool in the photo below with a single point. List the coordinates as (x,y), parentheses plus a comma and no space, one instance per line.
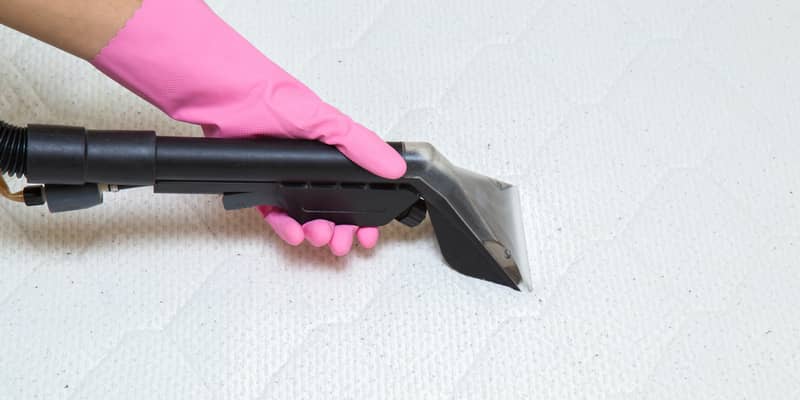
(181,57)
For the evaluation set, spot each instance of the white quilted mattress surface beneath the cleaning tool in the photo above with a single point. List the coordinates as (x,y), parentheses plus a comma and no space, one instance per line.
(656,145)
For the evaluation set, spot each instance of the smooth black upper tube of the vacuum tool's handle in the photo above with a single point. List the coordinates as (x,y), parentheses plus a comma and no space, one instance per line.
(73,156)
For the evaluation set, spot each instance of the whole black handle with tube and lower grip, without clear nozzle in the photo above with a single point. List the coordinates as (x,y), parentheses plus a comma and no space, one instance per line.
(309,179)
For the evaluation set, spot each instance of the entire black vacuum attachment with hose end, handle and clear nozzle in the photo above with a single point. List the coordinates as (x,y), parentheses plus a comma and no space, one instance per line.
(477,220)
